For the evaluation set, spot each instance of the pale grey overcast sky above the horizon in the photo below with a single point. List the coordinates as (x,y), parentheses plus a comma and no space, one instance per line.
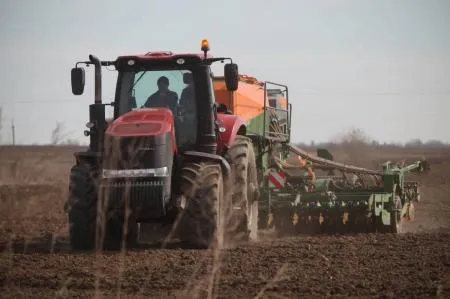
(382,66)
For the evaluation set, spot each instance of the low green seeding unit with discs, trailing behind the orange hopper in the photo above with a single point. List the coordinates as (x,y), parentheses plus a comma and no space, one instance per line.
(358,200)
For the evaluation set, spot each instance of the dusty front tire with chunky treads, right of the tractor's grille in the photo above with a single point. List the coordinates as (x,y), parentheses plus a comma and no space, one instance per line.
(200,225)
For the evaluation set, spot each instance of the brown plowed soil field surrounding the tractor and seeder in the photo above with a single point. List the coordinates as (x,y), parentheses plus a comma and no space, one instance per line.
(36,261)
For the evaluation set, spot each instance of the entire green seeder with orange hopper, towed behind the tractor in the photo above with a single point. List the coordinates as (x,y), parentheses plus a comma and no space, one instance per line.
(292,199)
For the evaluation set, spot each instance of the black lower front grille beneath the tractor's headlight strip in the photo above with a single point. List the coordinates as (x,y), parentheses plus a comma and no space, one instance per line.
(140,195)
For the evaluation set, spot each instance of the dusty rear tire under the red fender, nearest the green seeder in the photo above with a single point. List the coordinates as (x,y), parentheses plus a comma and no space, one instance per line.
(243,225)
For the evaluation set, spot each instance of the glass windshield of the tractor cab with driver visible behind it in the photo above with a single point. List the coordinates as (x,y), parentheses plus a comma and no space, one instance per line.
(172,89)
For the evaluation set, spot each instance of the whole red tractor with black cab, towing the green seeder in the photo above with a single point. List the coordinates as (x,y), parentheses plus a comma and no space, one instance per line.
(169,156)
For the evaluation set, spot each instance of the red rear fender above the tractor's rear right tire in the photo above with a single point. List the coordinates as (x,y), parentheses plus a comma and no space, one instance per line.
(229,127)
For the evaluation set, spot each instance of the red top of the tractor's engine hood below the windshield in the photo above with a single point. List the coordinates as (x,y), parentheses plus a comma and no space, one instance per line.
(142,122)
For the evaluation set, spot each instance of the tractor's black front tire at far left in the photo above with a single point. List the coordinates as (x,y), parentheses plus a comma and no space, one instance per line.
(82,208)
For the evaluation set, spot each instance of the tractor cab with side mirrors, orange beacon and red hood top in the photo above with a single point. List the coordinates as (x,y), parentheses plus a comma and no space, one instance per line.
(159,89)
